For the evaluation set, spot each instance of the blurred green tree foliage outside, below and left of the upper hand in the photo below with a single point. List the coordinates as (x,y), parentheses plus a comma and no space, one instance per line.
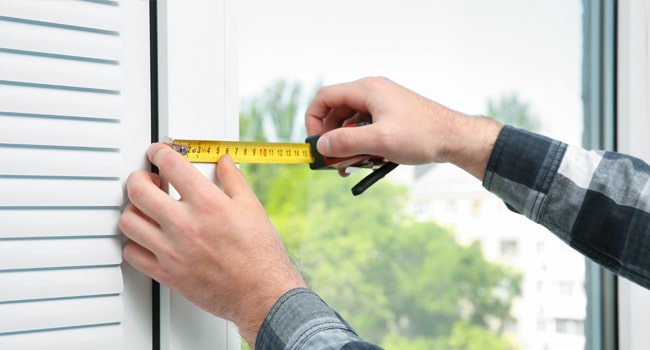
(400,283)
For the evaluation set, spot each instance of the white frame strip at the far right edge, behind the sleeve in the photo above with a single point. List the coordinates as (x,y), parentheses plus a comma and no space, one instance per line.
(633,124)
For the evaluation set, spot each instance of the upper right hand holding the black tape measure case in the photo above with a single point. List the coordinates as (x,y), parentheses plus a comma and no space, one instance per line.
(406,127)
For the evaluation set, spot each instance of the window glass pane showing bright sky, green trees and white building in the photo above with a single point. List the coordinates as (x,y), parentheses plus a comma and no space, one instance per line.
(426,259)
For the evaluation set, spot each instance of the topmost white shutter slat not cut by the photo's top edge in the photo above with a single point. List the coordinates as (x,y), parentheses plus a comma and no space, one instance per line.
(30,37)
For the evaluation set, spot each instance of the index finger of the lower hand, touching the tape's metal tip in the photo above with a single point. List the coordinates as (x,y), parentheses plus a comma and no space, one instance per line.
(180,173)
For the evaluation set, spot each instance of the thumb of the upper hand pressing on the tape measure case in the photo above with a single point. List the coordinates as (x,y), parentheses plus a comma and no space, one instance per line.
(348,141)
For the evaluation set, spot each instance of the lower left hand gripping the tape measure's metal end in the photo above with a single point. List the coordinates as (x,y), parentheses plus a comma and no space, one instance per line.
(216,248)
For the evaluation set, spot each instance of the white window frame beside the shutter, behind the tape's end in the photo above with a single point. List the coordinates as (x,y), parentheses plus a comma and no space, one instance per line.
(198,99)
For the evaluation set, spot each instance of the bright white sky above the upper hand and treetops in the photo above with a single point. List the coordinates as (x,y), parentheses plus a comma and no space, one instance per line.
(458,52)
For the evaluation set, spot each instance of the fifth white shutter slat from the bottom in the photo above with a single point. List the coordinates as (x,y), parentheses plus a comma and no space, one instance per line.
(25,223)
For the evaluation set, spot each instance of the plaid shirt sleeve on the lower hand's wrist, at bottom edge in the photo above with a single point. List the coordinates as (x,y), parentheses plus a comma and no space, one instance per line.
(300,319)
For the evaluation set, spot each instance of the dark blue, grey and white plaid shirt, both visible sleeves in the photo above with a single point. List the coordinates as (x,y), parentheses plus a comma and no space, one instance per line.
(597,202)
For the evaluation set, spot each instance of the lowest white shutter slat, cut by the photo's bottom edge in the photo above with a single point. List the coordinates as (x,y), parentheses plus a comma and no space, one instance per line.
(107,337)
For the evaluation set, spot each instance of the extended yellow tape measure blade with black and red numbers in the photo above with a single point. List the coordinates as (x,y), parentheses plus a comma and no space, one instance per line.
(202,151)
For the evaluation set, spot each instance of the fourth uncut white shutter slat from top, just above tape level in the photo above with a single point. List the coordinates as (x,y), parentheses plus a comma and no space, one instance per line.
(62,132)
